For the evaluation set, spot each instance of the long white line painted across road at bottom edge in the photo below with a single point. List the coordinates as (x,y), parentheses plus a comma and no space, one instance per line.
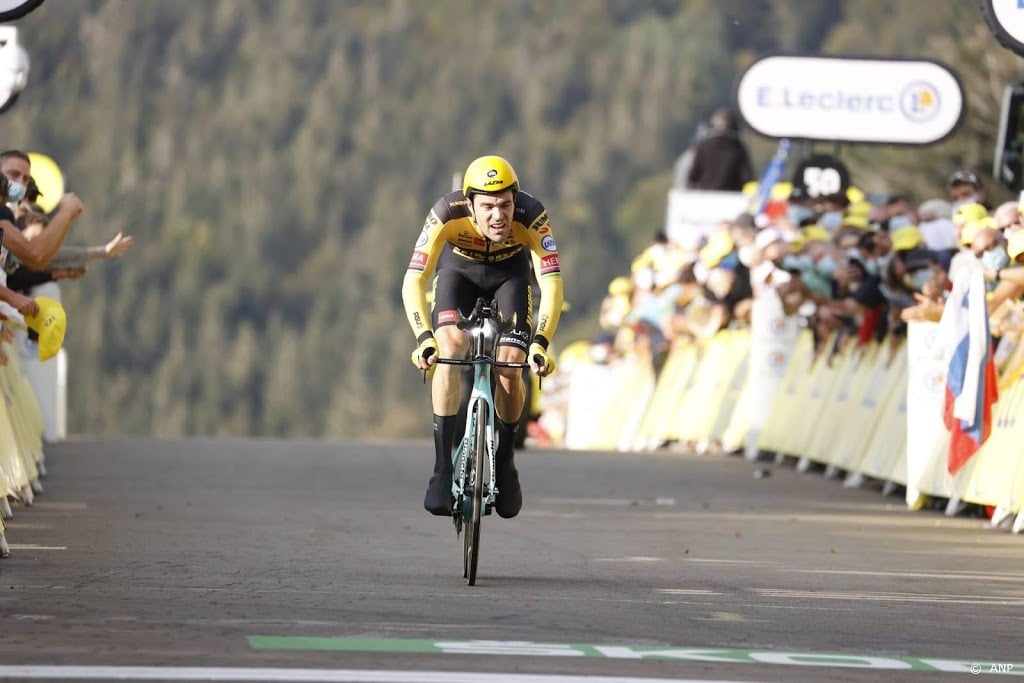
(323,675)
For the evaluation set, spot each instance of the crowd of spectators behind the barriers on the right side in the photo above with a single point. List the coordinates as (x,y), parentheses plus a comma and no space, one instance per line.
(848,267)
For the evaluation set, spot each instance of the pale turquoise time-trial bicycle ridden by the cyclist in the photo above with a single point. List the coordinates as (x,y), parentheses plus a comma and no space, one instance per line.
(474,493)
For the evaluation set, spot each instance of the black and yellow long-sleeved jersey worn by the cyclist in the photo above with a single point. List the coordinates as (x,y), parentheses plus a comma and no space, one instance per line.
(450,223)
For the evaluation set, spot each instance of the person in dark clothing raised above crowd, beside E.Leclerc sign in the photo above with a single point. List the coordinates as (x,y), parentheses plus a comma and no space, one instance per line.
(721,161)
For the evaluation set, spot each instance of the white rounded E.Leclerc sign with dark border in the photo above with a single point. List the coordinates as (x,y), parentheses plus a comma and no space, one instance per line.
(855,100)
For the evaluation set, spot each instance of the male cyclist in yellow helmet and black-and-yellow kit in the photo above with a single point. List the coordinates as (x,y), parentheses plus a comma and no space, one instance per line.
(481,241)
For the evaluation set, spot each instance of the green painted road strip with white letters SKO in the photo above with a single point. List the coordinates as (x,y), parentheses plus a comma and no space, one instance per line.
(716,655)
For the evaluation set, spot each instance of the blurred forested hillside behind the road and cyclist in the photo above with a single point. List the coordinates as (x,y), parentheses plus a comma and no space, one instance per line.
(275,161)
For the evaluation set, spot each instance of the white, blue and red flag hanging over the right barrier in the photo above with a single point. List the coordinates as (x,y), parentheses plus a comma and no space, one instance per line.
(971,379)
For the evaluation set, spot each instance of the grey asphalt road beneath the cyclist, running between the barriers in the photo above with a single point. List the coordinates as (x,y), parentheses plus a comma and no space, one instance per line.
(302,561)
